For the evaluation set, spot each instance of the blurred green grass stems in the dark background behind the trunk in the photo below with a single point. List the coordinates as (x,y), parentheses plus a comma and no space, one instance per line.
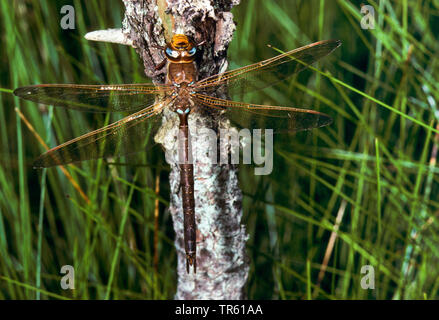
(362,191)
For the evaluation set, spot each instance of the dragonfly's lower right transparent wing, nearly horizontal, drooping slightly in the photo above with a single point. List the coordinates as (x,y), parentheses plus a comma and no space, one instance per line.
(254,116)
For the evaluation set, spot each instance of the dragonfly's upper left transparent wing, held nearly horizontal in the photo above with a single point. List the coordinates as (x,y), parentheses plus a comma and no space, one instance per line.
(94,98)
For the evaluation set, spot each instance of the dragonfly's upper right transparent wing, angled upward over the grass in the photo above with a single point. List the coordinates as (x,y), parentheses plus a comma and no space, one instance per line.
(268,72)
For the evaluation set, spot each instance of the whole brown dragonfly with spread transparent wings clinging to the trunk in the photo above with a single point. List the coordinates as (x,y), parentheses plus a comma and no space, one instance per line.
(184,94)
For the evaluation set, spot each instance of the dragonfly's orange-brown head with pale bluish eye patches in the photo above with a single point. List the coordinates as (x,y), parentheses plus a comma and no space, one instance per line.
(181,49)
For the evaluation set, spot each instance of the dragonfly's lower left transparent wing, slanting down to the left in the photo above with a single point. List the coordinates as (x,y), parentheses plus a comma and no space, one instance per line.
(128,135)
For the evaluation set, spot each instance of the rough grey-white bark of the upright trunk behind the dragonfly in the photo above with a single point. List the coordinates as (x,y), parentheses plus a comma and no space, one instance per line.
(222,265)
